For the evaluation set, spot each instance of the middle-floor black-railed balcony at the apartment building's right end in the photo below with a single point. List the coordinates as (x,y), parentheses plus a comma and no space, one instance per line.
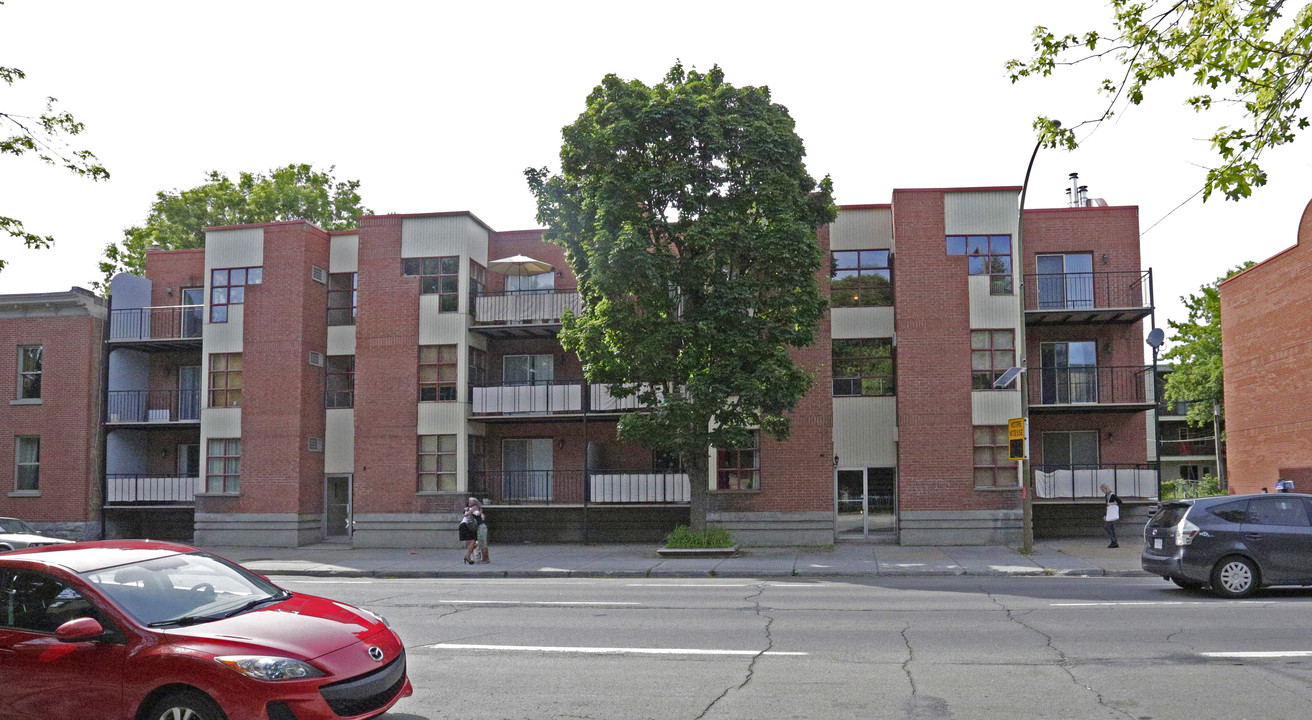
(1087,390)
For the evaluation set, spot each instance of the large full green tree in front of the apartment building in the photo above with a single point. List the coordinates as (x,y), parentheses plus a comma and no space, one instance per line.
(689,218)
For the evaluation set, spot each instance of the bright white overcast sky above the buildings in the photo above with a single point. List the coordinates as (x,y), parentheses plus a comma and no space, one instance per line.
(439,107)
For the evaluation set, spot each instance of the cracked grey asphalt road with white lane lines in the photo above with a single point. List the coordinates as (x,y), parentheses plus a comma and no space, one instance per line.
(935,649)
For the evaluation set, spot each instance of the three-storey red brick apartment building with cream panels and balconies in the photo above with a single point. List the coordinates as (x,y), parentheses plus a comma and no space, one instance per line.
(288,386)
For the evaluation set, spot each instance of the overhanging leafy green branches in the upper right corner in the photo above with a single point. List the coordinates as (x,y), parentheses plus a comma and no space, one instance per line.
(1244,52)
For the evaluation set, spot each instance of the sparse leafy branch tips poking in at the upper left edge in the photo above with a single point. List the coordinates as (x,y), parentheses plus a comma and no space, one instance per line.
(43,136)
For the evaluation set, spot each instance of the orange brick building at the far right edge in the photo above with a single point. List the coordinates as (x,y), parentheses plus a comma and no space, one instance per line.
(1267,335)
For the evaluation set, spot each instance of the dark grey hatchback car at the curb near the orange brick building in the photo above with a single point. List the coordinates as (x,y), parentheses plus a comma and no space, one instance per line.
(1234,545)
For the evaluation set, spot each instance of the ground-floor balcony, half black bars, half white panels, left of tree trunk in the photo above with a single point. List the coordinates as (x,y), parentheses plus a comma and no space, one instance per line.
(577,487)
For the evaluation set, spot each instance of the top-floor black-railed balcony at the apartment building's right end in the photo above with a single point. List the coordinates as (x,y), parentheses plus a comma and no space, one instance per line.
(1073,298)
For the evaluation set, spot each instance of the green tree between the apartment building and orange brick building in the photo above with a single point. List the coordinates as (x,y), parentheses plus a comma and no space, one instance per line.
(1197,353)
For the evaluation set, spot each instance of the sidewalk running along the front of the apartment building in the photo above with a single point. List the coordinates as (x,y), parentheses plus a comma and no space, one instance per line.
(1075,557)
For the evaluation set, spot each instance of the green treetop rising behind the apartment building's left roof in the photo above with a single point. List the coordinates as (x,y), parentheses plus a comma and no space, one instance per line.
(291,193)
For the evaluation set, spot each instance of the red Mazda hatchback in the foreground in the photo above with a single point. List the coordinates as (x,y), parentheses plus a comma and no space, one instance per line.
(140,630)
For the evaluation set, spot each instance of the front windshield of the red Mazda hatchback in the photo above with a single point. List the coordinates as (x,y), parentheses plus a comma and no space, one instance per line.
(183,590)
